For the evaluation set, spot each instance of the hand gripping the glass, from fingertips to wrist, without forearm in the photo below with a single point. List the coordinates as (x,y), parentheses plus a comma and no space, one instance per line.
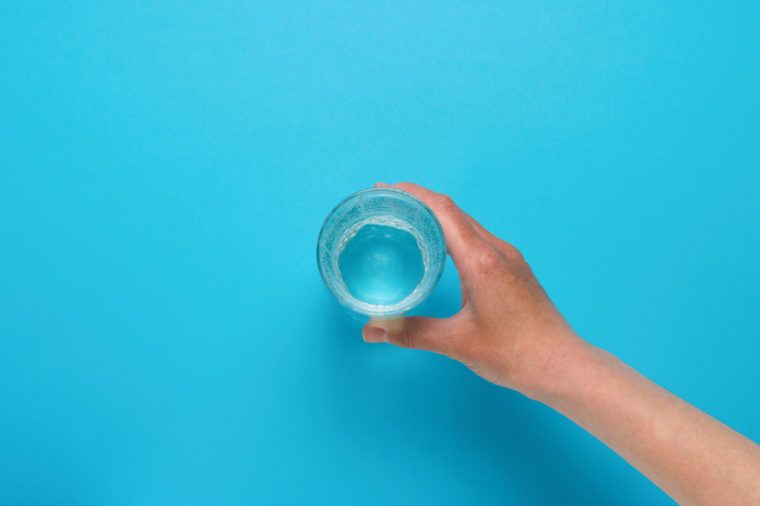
(507,331)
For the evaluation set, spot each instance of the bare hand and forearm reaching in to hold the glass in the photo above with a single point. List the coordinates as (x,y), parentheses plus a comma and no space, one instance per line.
(510,333)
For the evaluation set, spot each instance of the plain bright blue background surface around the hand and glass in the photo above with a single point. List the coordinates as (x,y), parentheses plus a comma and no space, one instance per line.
(165,167)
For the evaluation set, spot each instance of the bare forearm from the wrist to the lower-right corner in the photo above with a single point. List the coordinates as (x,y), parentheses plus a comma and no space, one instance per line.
(691,456)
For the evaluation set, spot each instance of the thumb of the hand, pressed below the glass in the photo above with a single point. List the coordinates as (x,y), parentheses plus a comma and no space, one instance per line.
(412,332)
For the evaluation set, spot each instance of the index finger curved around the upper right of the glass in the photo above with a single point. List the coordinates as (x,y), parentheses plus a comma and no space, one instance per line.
(462,240)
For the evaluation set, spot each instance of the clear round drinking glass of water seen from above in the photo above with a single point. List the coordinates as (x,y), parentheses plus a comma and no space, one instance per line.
(381,252)
